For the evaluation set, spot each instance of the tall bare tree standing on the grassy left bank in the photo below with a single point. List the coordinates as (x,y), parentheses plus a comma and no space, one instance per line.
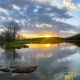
(10,30)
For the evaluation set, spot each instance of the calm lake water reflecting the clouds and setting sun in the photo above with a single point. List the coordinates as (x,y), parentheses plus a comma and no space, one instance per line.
(54,61)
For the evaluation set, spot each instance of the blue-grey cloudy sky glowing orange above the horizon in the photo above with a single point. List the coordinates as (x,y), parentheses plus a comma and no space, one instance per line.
(39,17)
